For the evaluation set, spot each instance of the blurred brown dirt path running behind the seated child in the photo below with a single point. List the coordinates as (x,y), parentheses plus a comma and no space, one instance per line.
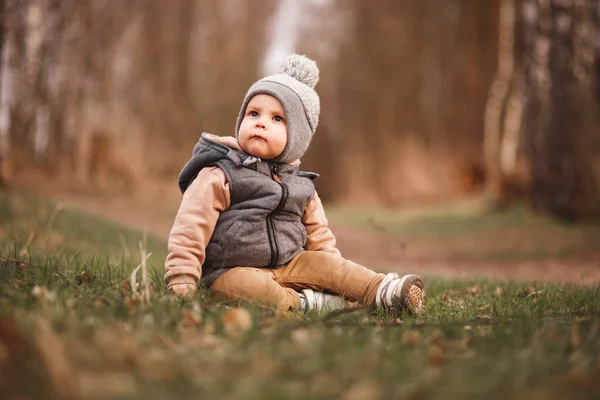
(428,257)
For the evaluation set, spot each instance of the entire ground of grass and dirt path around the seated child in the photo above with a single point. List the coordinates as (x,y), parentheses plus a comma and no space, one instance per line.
(76,323)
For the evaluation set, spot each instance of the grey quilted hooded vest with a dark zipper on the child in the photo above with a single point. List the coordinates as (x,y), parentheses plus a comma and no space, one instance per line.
(263,225)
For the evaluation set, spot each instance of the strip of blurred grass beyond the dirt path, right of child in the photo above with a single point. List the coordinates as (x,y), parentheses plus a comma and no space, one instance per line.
(510,236)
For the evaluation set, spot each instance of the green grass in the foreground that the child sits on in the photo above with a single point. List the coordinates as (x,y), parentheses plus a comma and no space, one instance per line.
(70,327)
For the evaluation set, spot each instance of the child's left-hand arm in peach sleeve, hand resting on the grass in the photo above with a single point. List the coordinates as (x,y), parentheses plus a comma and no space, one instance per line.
(202,202)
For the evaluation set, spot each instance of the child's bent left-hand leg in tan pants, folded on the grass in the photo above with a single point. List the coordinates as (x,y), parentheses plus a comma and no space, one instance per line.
(255,284)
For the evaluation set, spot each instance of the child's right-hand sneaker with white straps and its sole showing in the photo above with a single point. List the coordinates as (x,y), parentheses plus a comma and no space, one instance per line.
(406,293)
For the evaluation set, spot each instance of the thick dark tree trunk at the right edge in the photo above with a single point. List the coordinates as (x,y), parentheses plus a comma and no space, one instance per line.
(561,56)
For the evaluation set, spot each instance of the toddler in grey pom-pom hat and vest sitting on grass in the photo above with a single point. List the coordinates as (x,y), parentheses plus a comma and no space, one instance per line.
(251,225)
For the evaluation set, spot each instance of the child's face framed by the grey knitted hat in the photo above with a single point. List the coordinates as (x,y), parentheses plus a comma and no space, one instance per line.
(263,130)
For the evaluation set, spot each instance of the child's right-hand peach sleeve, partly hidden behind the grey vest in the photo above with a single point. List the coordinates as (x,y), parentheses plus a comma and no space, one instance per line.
(319,236)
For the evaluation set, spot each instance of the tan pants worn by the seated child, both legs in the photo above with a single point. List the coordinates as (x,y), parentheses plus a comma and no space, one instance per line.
(315,270)
